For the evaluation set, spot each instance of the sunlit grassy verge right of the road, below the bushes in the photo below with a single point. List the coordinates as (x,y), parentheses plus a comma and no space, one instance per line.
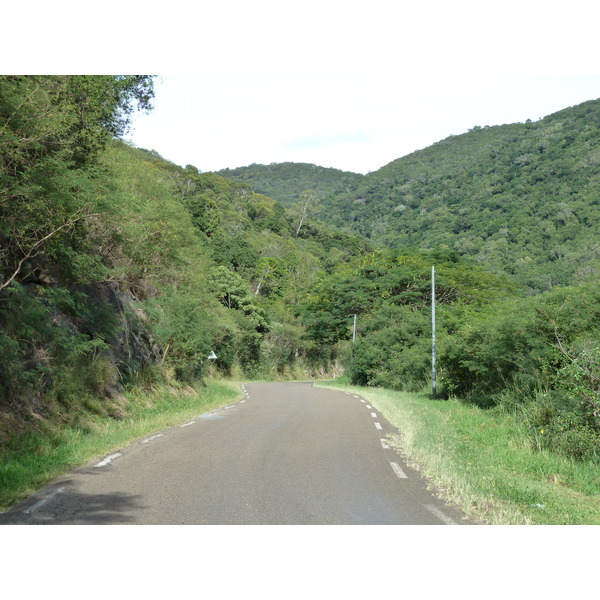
(484,462)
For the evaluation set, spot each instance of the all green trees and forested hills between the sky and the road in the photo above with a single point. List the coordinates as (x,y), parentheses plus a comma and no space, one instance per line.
(120,269)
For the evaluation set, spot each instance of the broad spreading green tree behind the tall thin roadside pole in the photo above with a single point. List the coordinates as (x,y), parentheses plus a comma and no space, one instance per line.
(390,292)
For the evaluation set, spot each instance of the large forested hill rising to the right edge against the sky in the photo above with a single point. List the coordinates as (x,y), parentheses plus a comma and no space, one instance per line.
(522,199)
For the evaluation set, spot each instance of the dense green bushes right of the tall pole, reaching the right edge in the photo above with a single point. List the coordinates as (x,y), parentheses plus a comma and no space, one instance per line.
(537,357)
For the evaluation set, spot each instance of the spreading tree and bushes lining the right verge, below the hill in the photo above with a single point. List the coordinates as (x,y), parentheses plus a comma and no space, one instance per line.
(538,357)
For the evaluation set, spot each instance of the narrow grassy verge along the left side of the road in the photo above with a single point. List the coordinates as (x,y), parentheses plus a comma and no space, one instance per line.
(30,460)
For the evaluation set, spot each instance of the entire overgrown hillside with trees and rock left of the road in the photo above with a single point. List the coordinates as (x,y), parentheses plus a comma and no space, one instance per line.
(119,268)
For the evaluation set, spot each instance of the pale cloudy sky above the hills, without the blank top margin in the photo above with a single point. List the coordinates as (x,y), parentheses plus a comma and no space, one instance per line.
(351,122)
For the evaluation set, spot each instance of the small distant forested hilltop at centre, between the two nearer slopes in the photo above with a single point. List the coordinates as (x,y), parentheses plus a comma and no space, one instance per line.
(285,182)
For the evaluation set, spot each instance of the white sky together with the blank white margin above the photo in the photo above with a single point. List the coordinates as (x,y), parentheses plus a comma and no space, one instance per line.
(345,84)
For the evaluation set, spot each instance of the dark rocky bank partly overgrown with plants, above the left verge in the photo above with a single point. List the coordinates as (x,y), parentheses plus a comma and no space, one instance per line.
(65,344)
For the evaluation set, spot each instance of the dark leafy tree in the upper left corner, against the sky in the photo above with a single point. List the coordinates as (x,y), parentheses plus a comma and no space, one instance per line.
(51,131)
